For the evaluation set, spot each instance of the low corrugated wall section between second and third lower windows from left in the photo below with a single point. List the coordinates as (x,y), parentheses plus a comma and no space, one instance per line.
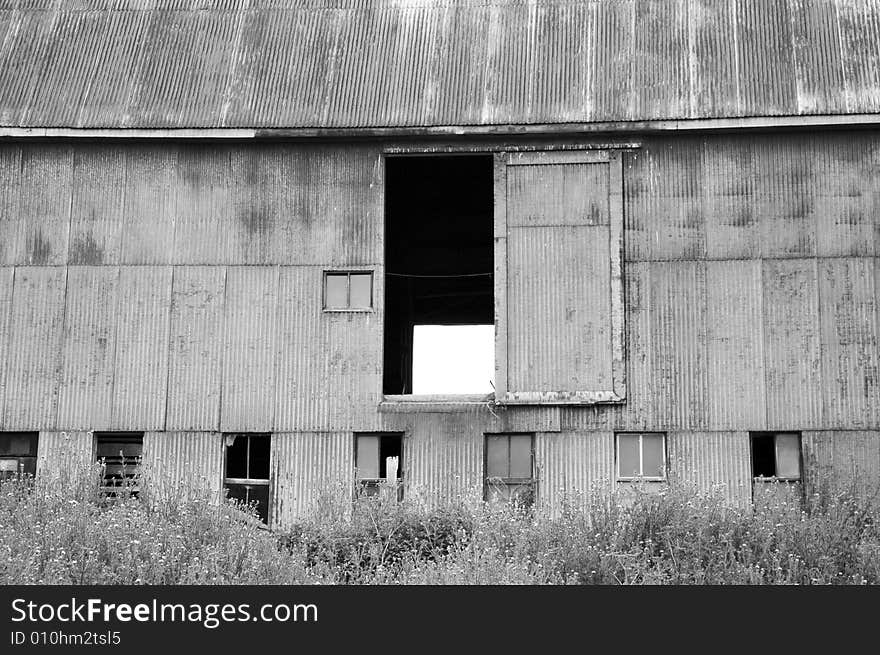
(190,459)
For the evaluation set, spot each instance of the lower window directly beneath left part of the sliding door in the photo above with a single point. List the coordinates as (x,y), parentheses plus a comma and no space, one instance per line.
(510,466)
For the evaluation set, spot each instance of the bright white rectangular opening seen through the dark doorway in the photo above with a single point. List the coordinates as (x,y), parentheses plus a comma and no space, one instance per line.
(453,359)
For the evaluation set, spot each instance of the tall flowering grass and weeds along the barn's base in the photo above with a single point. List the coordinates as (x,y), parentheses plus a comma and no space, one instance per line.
(62,530)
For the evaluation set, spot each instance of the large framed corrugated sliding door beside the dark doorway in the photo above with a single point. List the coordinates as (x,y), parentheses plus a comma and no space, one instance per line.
(559,324)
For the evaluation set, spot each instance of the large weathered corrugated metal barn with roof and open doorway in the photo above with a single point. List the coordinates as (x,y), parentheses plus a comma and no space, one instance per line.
(224,225)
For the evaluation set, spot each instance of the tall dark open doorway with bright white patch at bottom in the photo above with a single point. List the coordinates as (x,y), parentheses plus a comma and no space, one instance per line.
(439,275)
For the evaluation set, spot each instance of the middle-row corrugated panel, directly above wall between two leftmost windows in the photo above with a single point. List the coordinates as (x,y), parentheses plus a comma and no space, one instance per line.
(85,395)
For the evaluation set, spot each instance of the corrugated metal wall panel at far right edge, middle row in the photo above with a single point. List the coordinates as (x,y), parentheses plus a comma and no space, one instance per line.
(850,374)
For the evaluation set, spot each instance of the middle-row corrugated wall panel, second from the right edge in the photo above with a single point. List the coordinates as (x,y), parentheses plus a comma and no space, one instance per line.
(792,344)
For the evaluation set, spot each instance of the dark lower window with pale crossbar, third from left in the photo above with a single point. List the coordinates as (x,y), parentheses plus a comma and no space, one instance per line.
(247,470)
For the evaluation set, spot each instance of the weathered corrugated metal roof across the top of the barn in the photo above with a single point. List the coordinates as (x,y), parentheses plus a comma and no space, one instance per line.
(386,63)
